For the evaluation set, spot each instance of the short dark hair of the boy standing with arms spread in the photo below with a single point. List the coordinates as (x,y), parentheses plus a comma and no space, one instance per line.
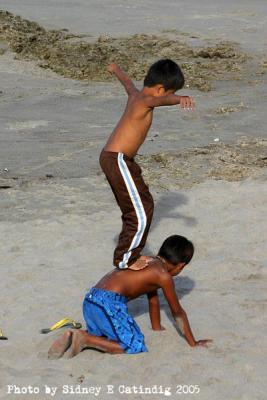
(167,73)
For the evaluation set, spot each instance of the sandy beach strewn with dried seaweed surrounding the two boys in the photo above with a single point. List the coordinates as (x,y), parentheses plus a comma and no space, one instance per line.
(206,170)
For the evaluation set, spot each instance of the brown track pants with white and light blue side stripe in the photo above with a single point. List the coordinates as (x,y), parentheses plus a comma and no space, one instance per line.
(135,201)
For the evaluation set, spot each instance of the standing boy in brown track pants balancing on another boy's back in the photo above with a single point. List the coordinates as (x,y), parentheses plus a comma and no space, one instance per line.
(163,79)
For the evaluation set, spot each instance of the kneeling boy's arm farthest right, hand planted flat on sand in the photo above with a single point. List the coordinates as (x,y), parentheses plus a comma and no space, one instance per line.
(179,314)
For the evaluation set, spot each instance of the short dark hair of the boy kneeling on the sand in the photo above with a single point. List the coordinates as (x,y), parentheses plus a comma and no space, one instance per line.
(177,249)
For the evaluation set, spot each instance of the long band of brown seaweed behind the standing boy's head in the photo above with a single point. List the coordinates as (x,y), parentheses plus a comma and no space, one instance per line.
(79,57)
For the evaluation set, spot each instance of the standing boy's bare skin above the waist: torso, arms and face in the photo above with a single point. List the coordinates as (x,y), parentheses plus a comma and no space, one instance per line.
(132,129)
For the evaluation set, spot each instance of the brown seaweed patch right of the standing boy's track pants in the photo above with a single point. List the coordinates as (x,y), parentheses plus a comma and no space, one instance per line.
(183,169)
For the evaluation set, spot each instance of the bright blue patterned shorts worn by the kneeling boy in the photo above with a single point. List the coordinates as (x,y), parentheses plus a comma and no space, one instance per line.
(106,314)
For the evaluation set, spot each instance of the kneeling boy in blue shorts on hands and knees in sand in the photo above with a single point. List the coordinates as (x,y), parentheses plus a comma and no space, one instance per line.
(110,328)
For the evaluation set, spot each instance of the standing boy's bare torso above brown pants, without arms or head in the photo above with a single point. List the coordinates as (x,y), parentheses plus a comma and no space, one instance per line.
(132,129)
